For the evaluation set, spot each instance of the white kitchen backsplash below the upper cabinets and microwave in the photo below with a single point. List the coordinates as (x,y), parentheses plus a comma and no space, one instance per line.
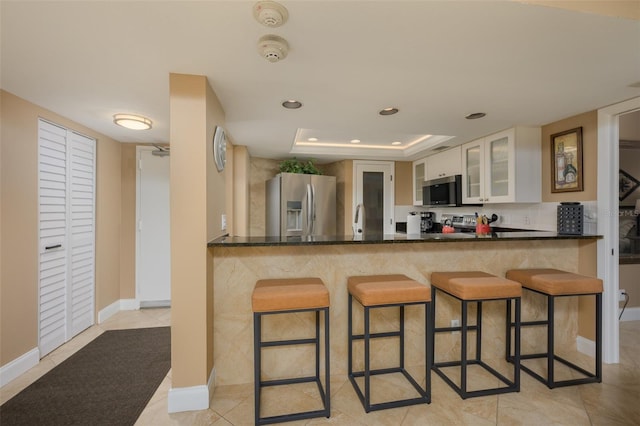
(538,216)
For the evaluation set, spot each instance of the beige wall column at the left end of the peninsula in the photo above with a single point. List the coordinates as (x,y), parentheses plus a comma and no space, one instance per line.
(198,198)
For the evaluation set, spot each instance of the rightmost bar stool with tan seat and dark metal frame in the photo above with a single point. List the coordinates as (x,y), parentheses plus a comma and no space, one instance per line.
(553,283)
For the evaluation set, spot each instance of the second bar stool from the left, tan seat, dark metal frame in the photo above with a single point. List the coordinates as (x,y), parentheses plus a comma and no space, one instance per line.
(383,291)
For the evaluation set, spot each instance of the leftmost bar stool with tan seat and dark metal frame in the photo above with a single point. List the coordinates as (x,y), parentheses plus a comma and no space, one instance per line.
(286,296)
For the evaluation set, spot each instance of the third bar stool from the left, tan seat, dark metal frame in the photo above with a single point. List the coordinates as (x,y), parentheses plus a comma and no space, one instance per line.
(477,287)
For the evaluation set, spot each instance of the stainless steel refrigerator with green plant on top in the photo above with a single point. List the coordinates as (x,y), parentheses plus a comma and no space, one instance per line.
(299,205)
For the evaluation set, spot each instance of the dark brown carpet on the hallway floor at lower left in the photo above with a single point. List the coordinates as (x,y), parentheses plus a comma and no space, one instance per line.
(108,382)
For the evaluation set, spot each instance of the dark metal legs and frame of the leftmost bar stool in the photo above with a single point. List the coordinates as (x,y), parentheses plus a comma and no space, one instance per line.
(258,344)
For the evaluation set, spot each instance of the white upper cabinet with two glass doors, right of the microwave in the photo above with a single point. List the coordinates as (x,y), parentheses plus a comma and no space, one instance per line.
(503,168)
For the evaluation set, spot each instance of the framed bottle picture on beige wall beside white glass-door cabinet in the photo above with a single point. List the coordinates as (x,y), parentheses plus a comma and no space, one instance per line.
(566,161)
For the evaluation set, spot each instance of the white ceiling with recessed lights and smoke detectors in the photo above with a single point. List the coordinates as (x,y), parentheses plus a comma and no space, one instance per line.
(437,61)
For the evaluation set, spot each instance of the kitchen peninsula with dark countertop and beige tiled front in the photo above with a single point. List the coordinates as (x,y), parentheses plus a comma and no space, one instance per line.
(240,261)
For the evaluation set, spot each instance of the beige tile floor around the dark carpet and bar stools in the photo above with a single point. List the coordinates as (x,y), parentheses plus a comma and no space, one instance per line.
(615,401)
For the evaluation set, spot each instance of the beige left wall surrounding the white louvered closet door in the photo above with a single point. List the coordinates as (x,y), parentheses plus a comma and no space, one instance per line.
(19,207)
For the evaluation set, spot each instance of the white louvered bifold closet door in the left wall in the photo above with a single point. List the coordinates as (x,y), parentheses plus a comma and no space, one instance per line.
(66,182)
